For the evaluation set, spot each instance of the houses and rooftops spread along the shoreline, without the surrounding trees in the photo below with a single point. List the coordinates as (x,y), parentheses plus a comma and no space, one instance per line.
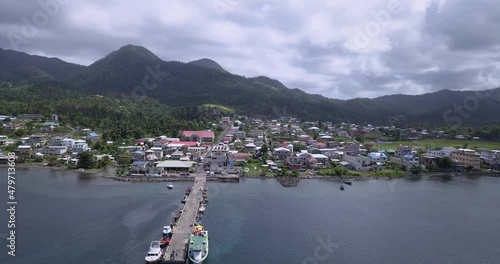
(319,145)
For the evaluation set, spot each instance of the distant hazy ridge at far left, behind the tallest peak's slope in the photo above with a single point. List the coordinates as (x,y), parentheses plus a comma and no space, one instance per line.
(17,66)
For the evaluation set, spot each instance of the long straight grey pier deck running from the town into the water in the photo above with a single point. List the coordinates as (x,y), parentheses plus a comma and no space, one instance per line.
(177,250)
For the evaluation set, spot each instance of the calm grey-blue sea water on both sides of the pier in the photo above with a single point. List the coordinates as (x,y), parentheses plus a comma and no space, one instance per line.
(69,217)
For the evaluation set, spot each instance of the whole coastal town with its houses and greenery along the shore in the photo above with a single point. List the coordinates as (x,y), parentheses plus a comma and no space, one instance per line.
(246,146)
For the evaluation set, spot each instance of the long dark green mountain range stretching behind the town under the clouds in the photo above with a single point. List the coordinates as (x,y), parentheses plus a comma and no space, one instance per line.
(135,71)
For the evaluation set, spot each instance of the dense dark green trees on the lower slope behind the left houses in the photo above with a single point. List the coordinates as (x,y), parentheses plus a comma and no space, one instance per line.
(116,118)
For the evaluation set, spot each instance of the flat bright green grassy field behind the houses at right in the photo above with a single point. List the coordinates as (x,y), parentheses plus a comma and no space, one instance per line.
(438,143)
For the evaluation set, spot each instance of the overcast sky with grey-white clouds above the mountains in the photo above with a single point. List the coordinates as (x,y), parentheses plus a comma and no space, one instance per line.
(337,48)
